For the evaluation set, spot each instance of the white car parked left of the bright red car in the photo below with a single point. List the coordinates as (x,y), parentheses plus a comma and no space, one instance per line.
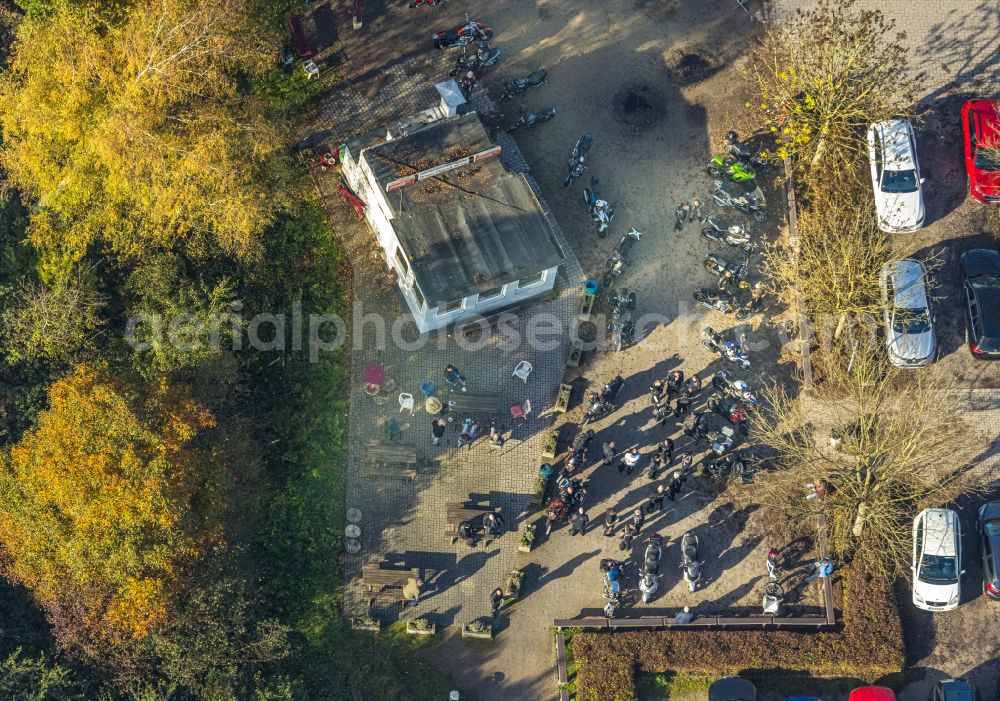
(899,196)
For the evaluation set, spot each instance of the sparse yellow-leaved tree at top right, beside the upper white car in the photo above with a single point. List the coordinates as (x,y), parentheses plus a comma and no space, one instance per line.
(823,76)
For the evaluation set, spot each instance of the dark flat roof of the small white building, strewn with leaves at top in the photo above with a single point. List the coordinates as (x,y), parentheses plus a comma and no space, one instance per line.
(486,231)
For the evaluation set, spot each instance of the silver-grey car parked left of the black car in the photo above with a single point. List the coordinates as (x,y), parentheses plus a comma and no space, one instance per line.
(906,310)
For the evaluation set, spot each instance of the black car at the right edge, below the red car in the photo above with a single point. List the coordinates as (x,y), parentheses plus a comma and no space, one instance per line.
(981,282)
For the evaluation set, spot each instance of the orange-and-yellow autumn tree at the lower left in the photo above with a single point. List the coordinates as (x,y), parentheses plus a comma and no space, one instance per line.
(107,505)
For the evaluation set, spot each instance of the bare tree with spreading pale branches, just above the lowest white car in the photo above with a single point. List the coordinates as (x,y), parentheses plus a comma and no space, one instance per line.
(868,450)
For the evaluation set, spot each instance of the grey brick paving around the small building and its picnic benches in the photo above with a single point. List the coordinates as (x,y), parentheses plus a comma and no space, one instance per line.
(403,521)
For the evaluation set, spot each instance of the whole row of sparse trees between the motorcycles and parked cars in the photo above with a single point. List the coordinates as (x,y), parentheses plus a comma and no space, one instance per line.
(882,443)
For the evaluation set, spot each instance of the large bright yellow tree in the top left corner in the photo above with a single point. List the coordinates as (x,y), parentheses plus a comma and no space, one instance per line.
(135,135)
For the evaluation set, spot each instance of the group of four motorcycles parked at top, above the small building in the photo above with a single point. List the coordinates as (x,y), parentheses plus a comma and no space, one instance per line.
(470,66)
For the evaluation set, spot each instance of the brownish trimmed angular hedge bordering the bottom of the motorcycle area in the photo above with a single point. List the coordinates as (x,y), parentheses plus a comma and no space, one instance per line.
(868,645)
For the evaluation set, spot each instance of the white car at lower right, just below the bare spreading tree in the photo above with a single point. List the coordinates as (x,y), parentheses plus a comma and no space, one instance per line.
(937,560)
